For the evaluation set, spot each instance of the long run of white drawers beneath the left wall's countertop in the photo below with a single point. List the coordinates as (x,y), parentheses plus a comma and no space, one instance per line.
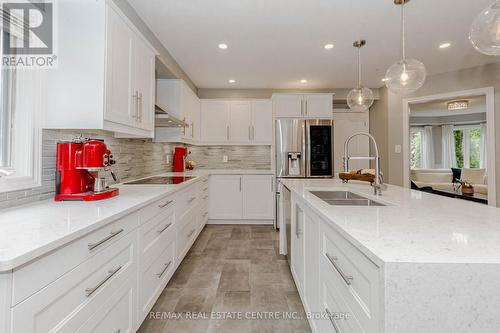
(108,280)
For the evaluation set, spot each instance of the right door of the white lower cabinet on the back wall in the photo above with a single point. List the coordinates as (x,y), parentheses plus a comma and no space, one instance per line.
(257,197)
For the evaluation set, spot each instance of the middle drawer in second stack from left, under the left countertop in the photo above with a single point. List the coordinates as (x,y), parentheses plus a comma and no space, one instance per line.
(154,234)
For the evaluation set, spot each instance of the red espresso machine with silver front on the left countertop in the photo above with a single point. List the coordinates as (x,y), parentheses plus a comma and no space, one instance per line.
(79,165)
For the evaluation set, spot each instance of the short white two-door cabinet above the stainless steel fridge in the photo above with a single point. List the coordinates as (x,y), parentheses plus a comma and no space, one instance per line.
(303,105)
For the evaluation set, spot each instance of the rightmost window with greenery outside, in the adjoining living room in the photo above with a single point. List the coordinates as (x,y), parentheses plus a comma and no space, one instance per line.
(468,146)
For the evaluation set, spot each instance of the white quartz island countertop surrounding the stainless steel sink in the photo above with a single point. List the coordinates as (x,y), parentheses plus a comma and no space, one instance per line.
(415,227)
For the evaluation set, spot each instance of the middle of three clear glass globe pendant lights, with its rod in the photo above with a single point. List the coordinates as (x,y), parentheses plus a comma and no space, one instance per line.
(406,75)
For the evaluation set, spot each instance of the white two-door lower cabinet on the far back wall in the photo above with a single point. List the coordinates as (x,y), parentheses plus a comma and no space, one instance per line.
(241,197)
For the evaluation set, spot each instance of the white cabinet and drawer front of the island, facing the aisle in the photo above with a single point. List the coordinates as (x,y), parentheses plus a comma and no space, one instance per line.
(332,276)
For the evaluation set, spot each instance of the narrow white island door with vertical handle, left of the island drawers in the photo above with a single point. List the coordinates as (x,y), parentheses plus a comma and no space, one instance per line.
(297,246)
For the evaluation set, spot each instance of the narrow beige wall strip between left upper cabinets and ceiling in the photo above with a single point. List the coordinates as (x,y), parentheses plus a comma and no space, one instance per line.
(164,56)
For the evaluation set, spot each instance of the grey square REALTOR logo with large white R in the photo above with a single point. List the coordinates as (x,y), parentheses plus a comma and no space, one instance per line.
(28,34)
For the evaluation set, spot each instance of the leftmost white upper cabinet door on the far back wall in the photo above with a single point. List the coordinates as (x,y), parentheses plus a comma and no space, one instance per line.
(215,120)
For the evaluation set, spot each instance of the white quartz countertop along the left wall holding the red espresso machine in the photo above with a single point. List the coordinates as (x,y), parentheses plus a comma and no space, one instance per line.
(29,231)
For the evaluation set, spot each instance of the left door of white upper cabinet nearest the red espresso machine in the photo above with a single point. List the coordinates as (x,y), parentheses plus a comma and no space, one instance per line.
(121,106)
